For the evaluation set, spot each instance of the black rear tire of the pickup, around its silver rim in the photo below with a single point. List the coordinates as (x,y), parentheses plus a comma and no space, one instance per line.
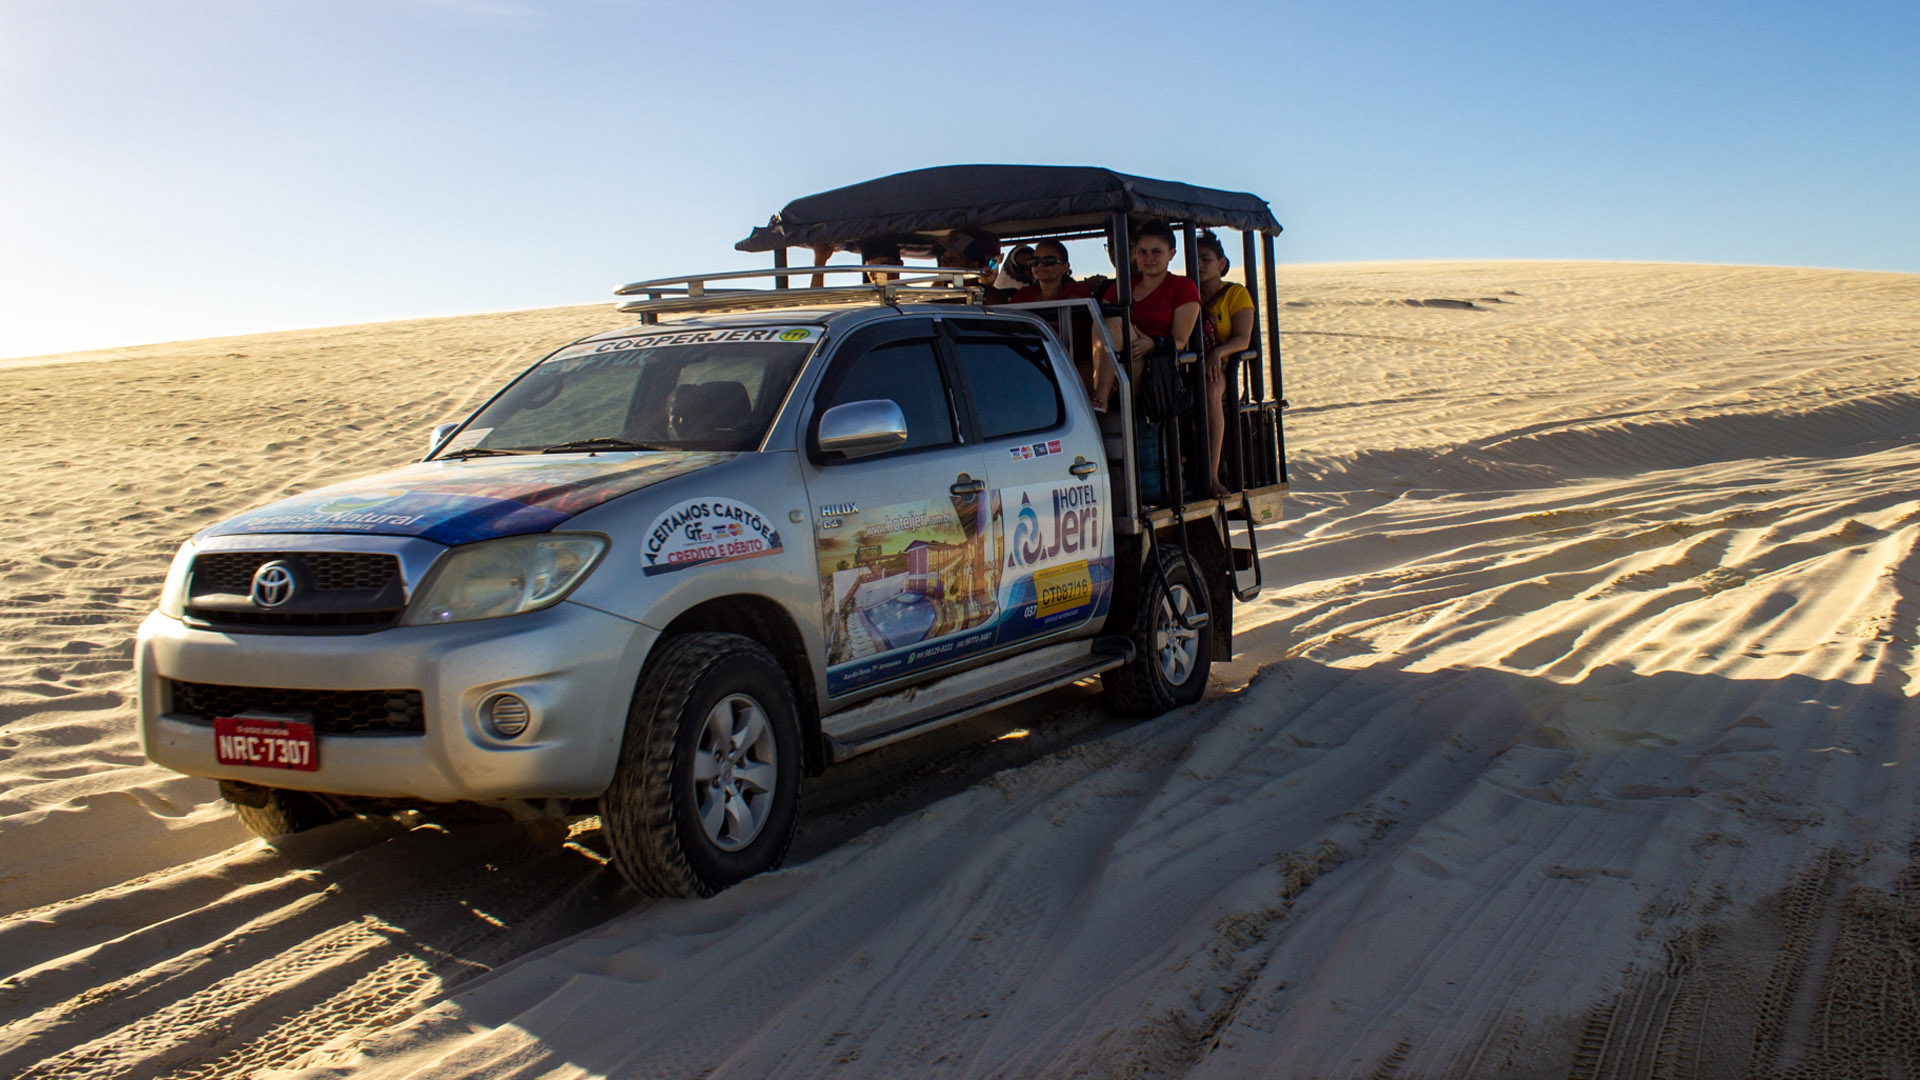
(1143,687)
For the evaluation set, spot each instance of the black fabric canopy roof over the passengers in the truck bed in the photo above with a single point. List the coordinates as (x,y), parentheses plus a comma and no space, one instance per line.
(1009,201)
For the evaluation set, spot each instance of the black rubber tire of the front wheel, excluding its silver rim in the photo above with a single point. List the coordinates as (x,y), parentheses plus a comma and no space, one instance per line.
(652,812)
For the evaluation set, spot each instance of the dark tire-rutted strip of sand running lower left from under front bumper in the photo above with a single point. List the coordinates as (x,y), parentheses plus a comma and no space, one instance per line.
(316,948)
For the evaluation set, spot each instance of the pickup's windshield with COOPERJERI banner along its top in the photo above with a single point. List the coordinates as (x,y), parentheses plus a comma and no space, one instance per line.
(688,391)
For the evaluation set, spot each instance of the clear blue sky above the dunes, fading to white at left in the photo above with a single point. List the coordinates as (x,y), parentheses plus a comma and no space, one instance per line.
(193,168)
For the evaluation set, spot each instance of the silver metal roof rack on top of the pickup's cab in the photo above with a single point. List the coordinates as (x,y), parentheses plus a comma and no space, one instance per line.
(684,295)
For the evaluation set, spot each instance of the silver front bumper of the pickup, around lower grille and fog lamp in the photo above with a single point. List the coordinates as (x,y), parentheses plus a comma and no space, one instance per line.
(575,666)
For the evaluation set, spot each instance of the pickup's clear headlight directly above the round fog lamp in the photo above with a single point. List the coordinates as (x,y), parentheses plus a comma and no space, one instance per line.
(504,577)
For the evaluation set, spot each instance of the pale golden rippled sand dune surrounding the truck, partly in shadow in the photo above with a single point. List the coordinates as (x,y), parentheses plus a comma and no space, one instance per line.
(1572,737)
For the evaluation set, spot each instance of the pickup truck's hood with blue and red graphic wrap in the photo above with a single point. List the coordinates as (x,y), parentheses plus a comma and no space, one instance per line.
(460,503)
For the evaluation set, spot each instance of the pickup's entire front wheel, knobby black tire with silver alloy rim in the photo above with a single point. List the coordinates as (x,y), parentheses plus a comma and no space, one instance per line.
(709,783)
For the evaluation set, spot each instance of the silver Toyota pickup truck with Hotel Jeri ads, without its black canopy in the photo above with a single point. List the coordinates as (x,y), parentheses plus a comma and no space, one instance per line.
(669,572)
